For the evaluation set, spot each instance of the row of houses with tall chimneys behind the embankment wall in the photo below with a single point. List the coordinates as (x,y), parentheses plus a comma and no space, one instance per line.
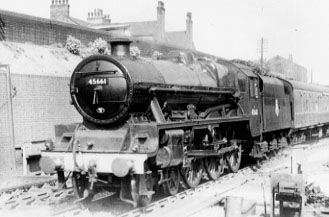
(153,30)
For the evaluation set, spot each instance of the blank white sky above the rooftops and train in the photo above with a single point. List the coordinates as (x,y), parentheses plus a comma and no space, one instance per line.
(226,28)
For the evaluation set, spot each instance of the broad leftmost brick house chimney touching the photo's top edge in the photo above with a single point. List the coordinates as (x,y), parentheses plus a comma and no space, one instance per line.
(60,10)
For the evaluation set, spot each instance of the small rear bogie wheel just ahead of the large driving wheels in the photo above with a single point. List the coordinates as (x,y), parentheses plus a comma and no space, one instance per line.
(172,177)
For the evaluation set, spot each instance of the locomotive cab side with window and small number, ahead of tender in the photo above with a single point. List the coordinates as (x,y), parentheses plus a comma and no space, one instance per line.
(255,106)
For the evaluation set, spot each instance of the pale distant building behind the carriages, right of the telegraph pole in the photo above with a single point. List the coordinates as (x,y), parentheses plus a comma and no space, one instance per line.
(287,68)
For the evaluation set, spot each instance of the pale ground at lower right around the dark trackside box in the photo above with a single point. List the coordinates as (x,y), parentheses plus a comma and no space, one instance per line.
(314,159)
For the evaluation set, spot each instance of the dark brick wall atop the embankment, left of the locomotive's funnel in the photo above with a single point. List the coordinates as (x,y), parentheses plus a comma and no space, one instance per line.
(23,28)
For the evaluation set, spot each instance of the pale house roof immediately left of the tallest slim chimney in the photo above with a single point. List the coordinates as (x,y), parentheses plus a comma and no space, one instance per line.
(144,28)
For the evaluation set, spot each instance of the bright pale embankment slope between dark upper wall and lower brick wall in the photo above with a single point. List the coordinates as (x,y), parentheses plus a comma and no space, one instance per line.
(25,58)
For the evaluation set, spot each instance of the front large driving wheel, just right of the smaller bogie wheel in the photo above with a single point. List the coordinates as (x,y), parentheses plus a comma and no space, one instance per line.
(192,174)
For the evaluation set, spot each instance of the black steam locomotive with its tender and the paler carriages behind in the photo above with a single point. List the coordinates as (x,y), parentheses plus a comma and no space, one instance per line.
(148,123)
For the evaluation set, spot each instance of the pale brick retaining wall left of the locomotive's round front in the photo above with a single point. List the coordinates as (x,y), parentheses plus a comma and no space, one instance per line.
(40,103)
